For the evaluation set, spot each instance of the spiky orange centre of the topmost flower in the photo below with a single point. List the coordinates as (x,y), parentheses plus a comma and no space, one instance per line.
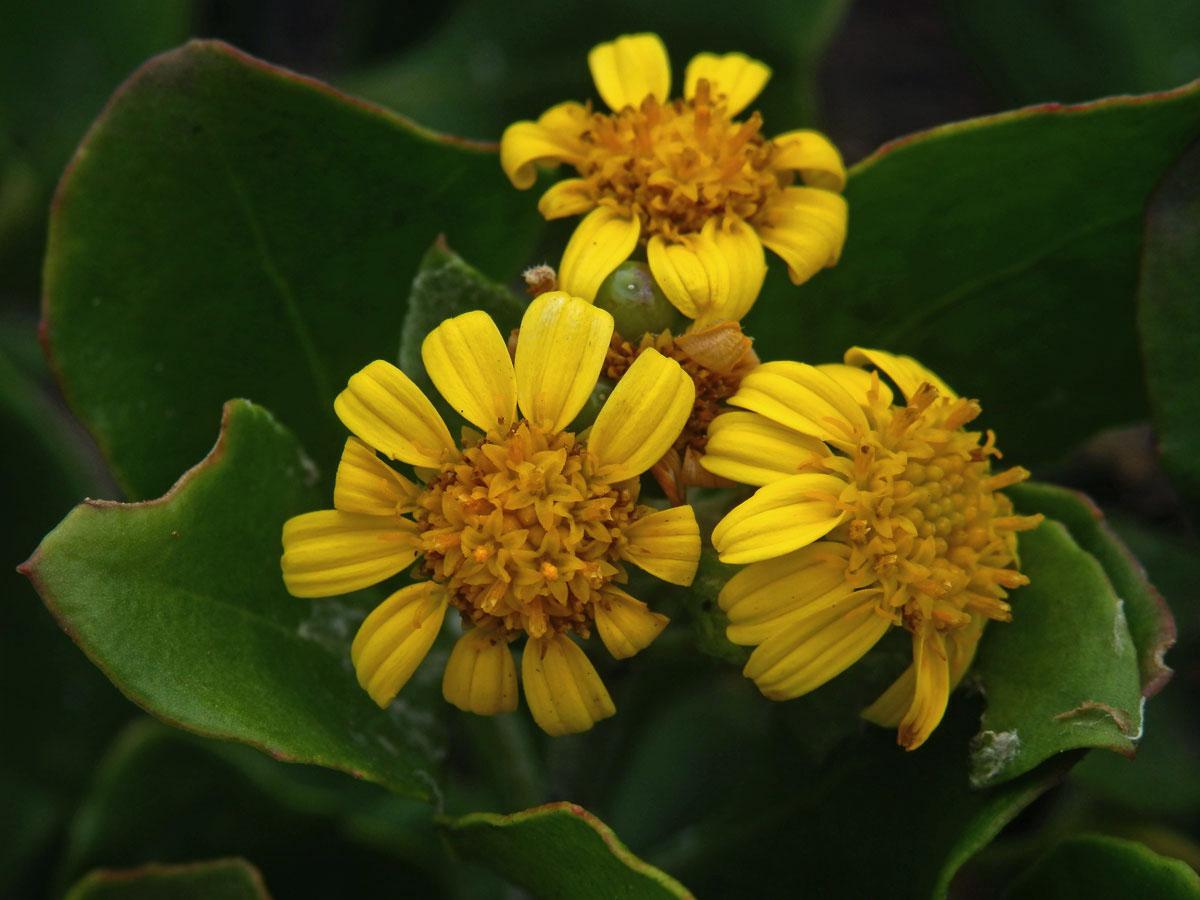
(679,165)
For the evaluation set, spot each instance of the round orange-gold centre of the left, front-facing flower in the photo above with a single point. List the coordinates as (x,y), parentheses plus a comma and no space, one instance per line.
(523,535)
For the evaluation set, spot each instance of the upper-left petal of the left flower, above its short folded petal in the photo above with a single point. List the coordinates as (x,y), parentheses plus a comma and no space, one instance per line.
(383,407)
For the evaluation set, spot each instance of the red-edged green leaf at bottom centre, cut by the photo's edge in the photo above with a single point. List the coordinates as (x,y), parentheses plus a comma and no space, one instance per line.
(559,851)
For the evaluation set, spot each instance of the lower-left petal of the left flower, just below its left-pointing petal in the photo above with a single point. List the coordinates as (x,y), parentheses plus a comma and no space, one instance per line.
(394,639)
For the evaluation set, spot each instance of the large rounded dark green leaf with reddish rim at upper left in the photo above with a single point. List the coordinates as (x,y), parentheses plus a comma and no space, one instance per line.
(233,230)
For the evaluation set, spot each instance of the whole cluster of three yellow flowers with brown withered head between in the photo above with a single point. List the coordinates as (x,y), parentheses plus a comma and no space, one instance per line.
(872,511)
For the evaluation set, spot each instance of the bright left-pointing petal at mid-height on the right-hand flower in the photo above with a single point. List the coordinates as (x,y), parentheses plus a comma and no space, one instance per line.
(781,518)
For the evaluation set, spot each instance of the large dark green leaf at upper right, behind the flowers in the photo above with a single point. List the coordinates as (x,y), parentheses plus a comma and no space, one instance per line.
(981,248)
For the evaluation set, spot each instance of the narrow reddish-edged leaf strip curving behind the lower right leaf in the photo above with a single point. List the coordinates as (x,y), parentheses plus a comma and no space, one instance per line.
(1147,614)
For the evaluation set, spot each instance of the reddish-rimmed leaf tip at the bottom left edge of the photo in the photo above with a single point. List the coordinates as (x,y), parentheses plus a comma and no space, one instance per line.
(218,880)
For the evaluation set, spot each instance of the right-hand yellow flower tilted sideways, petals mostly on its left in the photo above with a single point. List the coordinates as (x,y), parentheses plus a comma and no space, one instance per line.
(869,515)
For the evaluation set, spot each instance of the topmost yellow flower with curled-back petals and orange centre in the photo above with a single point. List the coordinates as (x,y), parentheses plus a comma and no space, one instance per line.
(700,190)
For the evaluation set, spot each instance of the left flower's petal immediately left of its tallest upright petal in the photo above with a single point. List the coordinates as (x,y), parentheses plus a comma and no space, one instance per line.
(470,364)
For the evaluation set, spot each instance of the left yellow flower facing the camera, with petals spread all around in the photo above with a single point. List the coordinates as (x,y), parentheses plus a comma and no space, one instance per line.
(525,530)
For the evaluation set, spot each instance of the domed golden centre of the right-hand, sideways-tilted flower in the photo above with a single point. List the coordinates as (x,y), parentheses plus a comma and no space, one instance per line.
(928,524)
